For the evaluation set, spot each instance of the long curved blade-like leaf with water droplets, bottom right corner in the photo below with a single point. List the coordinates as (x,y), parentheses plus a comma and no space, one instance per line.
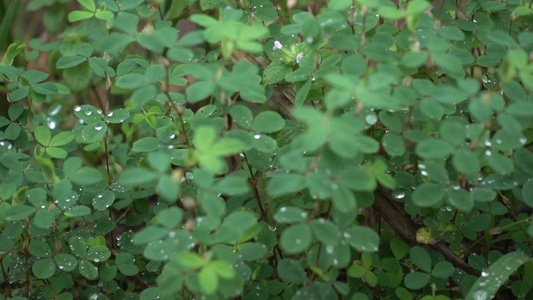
(497,274)
